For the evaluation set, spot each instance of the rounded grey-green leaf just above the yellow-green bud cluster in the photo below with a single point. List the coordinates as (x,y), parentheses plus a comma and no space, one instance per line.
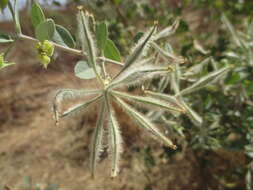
(45,30)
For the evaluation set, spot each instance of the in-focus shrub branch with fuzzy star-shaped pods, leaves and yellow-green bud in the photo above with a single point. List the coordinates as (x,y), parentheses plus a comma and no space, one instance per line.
(148,62)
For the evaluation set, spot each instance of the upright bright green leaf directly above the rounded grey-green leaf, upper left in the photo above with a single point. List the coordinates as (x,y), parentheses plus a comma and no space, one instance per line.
(37,15)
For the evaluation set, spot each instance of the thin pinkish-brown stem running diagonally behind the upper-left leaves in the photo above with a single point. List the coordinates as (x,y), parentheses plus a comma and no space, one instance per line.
(70,50)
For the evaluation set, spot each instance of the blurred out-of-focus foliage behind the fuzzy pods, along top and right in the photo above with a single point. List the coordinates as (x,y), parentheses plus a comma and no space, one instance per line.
(212,33)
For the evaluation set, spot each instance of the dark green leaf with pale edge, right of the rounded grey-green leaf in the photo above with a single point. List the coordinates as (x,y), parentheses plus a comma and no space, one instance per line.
(63,37)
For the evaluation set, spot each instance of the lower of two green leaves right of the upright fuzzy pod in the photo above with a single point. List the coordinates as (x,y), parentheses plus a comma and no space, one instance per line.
(111,51)
